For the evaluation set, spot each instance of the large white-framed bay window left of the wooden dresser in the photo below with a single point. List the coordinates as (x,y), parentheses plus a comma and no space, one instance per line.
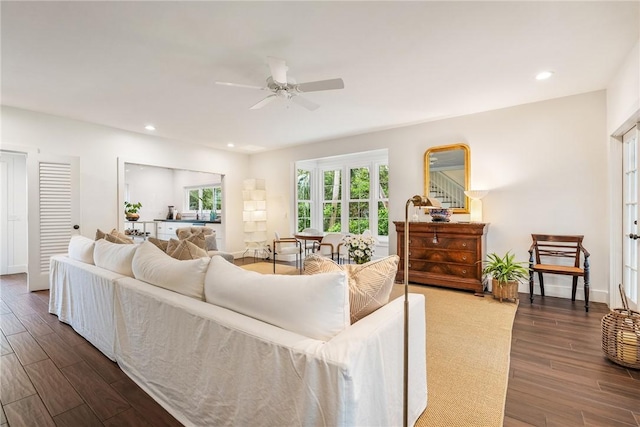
(348,194)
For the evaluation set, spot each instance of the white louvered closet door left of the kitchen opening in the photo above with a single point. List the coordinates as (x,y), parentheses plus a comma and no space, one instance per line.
(54,211)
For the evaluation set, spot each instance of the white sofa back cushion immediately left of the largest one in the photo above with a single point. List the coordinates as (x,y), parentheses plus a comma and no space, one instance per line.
(153,266)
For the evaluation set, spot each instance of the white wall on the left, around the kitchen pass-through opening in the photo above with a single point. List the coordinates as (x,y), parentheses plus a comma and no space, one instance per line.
(100,148)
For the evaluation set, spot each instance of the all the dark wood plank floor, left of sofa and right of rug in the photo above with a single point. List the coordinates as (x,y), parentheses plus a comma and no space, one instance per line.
(52,376)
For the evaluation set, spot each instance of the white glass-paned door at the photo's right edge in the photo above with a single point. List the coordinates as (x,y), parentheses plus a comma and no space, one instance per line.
(630,238)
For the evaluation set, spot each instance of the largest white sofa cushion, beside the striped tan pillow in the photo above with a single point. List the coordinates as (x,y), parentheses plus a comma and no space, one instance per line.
(314,306)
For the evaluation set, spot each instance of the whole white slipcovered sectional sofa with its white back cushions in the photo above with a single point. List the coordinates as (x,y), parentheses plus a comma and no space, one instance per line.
(261,350)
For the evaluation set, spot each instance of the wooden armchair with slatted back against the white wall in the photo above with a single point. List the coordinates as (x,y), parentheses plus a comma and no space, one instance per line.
(548,251)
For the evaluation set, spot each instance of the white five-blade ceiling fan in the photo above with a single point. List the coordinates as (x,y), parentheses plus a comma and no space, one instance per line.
(287,88)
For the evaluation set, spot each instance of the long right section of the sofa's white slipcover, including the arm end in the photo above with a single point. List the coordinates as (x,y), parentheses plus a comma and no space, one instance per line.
(209,366)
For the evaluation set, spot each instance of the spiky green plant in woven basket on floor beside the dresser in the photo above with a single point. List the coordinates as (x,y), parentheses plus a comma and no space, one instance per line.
(506,274)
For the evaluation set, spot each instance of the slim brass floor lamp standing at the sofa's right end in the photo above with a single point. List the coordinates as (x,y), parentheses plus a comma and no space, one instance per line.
(416,201)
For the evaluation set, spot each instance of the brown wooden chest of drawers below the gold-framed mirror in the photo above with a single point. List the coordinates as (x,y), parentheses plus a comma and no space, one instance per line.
(454,261)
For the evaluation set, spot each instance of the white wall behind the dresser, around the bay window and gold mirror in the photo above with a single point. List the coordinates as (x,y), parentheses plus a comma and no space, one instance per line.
(545,165)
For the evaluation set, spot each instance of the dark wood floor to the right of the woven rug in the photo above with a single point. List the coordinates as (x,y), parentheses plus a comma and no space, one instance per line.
(559,375)
